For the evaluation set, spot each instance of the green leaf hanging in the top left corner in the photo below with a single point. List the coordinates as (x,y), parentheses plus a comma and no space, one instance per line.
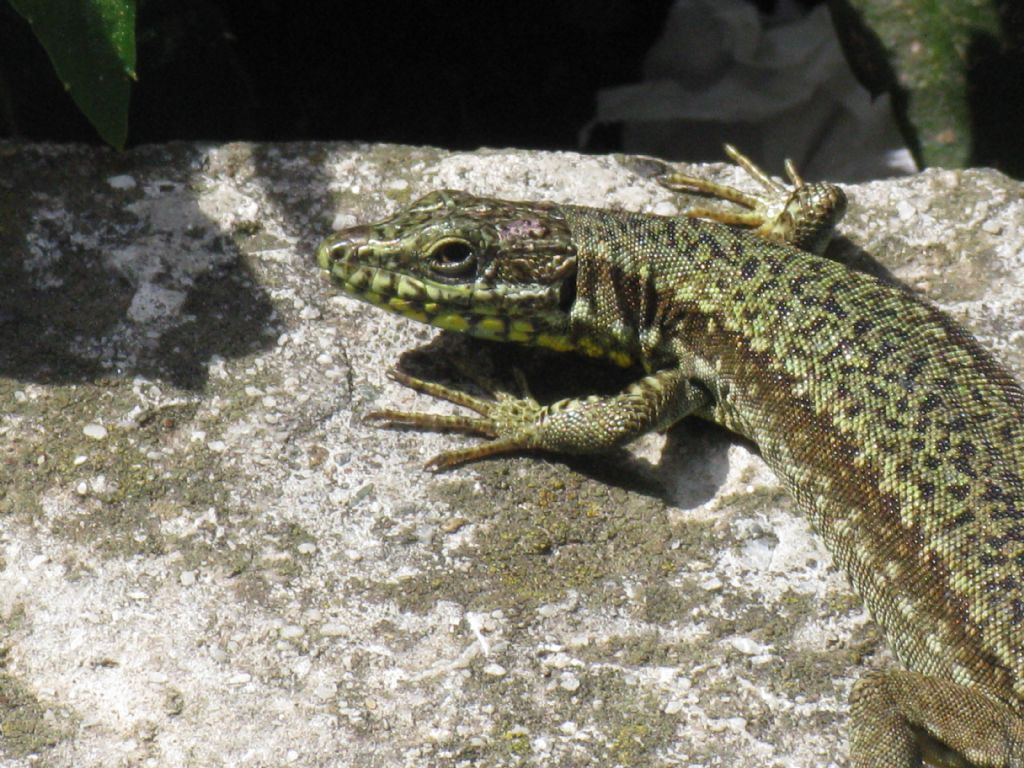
(93,47)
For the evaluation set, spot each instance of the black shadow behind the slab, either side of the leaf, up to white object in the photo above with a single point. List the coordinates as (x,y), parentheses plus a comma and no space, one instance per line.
(456,74)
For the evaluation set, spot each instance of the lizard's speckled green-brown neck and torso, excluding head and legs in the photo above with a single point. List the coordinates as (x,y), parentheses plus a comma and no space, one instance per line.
(890,425)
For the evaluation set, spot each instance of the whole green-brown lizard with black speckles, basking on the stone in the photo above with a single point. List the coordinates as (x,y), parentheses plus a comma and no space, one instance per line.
(893,430)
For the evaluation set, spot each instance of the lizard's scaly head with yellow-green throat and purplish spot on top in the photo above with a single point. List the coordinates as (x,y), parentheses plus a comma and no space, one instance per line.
(490,269)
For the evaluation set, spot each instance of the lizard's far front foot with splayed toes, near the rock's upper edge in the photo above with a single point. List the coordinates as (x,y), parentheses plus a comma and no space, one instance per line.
(800,215)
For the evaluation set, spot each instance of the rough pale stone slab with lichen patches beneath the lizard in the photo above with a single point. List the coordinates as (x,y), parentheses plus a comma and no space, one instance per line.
(206,559)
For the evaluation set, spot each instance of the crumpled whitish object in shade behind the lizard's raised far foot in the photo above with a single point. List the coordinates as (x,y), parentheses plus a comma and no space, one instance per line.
(719,74)
